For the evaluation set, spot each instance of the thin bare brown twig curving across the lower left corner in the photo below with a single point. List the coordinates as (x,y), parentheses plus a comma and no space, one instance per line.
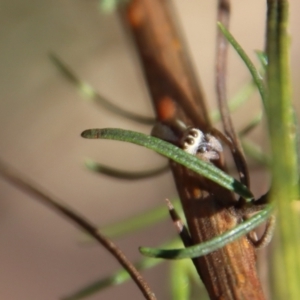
(30,188)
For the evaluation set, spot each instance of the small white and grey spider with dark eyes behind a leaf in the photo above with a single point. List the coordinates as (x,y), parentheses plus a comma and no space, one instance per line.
(203,145)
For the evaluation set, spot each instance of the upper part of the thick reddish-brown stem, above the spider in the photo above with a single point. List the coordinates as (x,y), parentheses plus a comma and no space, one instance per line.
(165,62)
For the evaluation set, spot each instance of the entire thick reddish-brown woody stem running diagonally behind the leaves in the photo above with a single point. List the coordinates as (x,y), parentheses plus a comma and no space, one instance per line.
(228,273)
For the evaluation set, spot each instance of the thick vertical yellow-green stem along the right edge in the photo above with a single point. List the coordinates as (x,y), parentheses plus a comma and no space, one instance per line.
(282,130)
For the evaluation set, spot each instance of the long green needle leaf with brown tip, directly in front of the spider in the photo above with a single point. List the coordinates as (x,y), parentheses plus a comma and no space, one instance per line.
(205,169)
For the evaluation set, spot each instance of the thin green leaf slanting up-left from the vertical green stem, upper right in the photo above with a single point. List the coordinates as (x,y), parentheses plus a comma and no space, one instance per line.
(257,78)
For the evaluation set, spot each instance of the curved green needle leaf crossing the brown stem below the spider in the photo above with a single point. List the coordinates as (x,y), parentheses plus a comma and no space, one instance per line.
(213,244)
